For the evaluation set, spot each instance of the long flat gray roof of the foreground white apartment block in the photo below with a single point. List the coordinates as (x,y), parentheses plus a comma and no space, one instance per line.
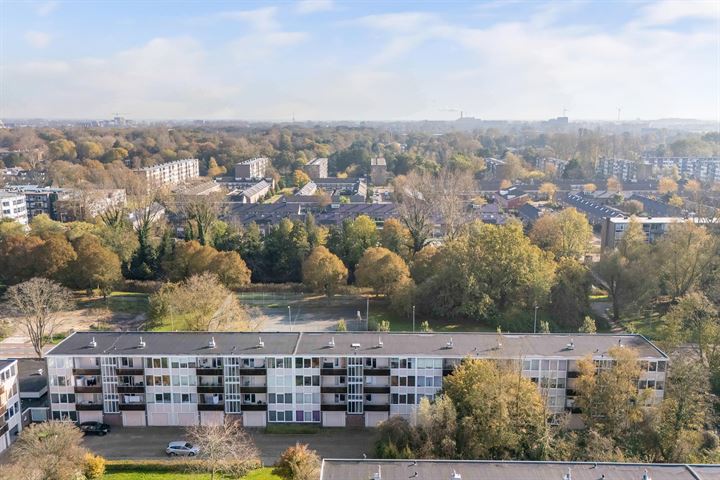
(482,345)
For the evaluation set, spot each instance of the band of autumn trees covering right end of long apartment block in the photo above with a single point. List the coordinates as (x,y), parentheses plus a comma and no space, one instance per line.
(488,410)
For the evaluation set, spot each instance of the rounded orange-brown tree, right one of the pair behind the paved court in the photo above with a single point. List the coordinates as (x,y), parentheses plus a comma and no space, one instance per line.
(382,270)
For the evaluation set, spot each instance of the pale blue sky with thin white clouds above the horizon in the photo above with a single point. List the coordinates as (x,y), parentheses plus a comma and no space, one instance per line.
(360,60)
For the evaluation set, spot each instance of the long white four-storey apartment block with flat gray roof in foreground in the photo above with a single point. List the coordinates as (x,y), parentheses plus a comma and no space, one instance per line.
(332,379)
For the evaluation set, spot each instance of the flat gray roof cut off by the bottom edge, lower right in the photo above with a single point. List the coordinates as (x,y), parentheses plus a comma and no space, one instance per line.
(509,470)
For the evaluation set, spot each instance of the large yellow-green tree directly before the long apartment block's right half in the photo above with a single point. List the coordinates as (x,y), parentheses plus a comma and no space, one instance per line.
(500,413)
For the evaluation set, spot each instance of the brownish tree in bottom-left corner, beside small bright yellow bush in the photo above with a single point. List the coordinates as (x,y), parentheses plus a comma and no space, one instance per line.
(50,451)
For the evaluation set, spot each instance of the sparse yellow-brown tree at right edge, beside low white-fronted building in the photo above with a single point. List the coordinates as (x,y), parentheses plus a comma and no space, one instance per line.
(686,253)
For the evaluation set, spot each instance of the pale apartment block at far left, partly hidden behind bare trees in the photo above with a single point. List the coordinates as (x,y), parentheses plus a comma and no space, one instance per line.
(87,204)
